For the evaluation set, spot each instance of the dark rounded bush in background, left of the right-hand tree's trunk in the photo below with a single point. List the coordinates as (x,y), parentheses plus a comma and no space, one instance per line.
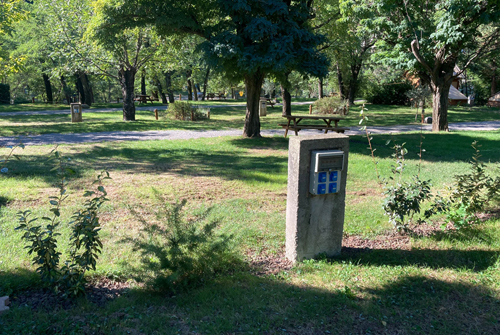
(391,93)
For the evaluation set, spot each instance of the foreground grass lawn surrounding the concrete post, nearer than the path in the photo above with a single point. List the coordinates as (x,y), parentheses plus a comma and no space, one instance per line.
(438,283)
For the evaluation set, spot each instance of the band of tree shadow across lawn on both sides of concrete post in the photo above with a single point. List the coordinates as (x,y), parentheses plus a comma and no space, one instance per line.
(198,159)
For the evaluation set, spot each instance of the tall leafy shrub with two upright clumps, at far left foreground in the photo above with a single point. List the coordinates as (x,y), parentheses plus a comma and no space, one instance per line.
(84,242)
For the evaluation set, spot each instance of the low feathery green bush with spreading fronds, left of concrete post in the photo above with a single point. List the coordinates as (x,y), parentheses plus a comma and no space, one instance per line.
(178,252)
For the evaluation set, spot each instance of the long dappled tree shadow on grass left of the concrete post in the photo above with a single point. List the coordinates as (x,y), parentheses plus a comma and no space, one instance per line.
(183,161)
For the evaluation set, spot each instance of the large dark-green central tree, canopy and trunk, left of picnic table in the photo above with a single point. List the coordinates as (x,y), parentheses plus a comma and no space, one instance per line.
(245,39)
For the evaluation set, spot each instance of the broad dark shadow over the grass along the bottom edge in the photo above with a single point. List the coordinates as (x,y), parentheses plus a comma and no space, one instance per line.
(244,303)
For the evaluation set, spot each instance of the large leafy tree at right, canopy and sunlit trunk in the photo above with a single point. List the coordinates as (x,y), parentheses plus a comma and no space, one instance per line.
(430,38)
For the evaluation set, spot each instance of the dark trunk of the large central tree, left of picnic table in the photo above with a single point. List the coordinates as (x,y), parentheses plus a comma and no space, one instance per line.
(253,84)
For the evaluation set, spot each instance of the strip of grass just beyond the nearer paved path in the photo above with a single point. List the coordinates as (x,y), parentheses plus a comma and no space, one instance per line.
(221,118)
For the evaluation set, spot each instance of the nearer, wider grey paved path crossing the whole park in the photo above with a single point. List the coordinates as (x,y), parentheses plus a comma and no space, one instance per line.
(188,134)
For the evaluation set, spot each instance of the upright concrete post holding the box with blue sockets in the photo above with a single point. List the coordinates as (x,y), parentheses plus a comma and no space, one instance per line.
(314,223)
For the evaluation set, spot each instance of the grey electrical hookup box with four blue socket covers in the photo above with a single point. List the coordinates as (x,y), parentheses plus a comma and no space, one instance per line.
(326,167)
